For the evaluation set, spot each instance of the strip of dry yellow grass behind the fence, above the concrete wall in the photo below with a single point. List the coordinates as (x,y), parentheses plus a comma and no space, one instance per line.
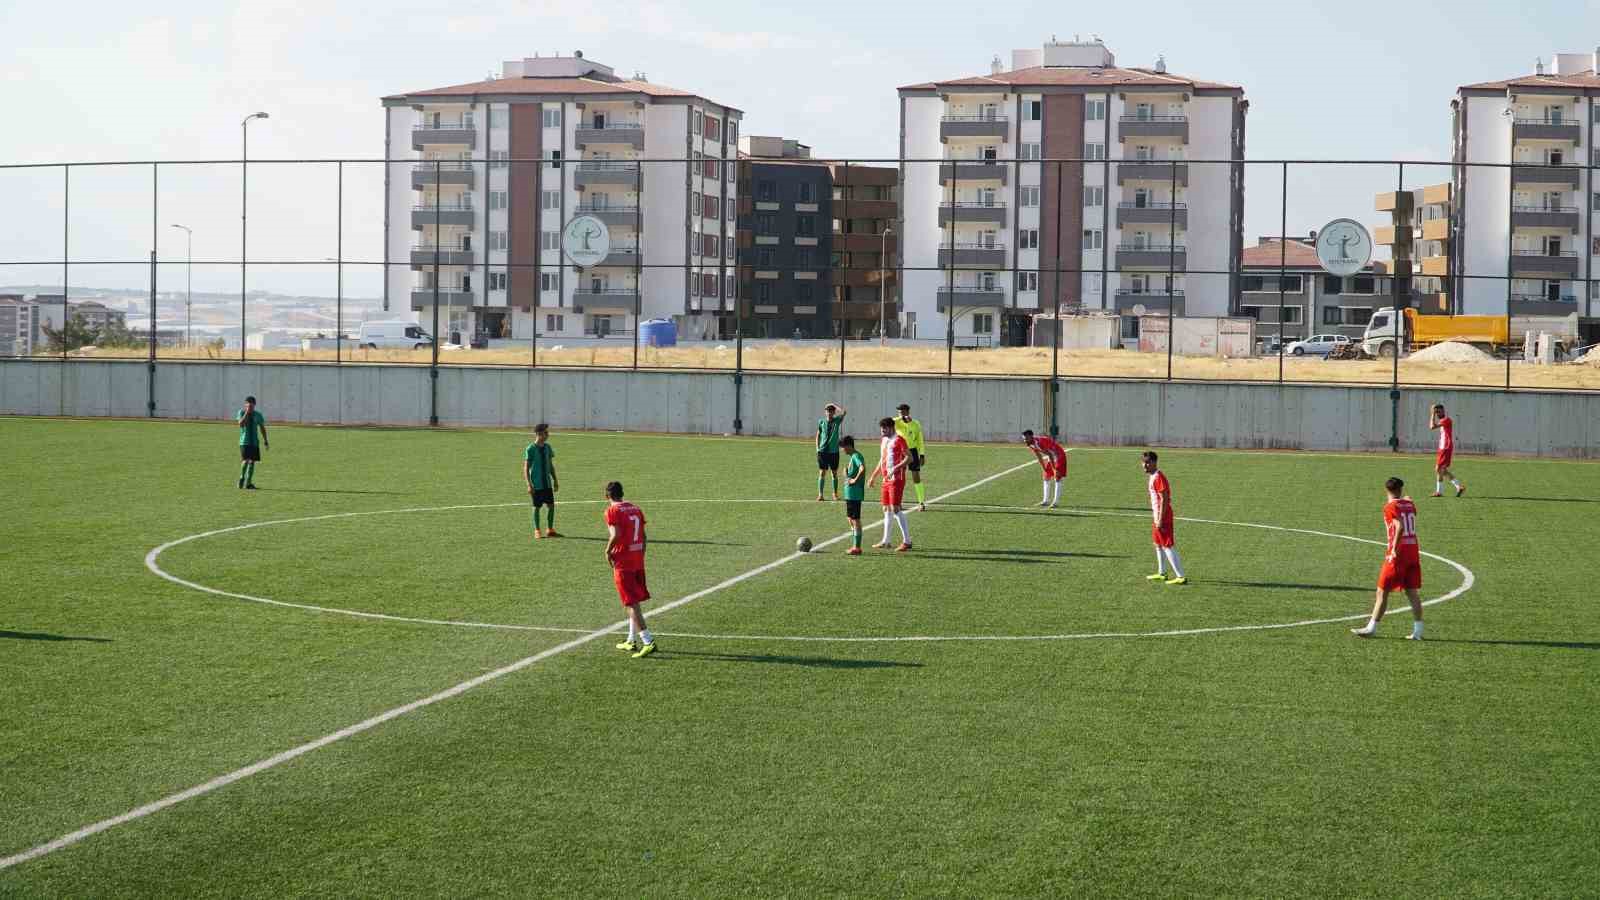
(868,358)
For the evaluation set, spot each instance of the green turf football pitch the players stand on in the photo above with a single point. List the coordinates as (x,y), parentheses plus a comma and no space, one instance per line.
(801,731)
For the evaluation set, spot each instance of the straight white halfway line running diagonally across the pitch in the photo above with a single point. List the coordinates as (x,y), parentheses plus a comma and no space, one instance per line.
(415,705)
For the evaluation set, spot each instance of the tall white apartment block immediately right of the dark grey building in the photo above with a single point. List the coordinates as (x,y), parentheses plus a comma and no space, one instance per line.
(1153,217)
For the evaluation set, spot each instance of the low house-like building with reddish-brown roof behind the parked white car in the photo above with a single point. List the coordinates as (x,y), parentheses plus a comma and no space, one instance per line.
(1284,279)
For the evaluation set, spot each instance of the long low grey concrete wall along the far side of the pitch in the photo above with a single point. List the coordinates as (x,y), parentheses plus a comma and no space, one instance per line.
(695,403)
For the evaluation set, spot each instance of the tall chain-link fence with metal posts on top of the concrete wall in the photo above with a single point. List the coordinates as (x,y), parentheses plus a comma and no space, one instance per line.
(1086,268)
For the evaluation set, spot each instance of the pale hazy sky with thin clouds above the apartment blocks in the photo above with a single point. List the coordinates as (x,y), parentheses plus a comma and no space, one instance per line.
(95,81)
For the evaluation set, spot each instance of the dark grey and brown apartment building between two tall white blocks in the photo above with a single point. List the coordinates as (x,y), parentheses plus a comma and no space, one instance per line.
(815,243)
